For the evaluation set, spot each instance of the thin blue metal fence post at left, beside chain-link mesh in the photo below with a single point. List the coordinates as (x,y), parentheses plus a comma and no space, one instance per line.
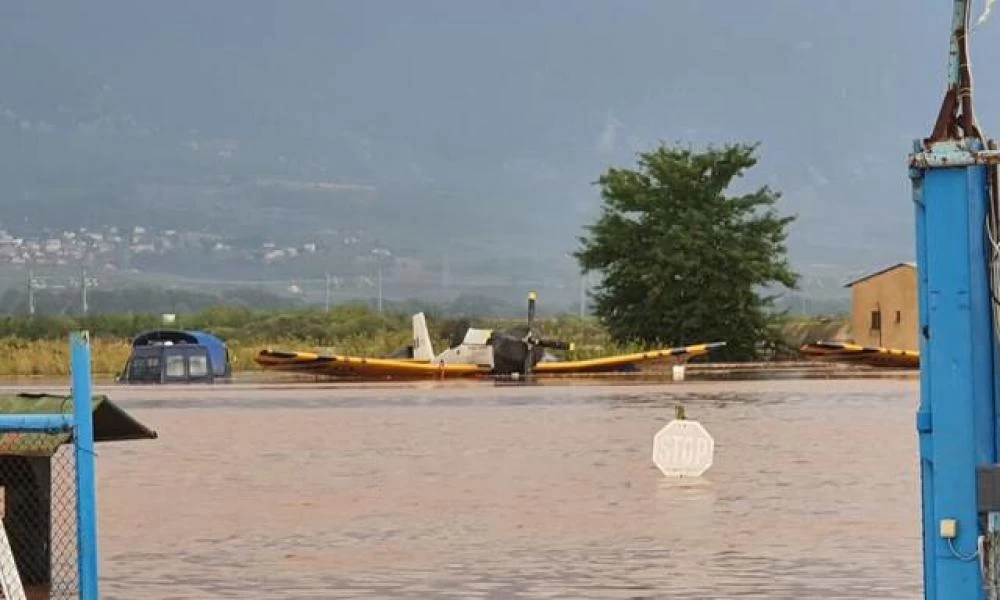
(85,473)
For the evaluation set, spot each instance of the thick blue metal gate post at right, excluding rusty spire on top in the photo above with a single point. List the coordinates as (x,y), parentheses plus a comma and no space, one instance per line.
(956,416)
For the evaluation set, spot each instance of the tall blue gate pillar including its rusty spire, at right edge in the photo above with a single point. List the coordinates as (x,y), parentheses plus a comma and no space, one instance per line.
(954,182)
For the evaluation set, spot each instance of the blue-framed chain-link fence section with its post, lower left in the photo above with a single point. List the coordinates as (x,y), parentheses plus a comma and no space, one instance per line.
(48,538)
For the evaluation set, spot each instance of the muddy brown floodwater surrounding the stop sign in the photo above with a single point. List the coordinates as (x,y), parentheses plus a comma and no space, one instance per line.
(485,491)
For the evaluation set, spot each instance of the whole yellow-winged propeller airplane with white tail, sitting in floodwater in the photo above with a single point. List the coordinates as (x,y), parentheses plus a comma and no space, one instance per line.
(482,352)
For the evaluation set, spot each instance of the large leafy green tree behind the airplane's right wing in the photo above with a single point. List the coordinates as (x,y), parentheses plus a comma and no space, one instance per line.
(680,260)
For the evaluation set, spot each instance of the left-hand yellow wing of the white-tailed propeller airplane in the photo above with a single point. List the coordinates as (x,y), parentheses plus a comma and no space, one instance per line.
(341,365)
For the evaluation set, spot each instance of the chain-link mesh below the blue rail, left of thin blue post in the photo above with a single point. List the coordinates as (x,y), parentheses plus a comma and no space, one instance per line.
(38,504)
